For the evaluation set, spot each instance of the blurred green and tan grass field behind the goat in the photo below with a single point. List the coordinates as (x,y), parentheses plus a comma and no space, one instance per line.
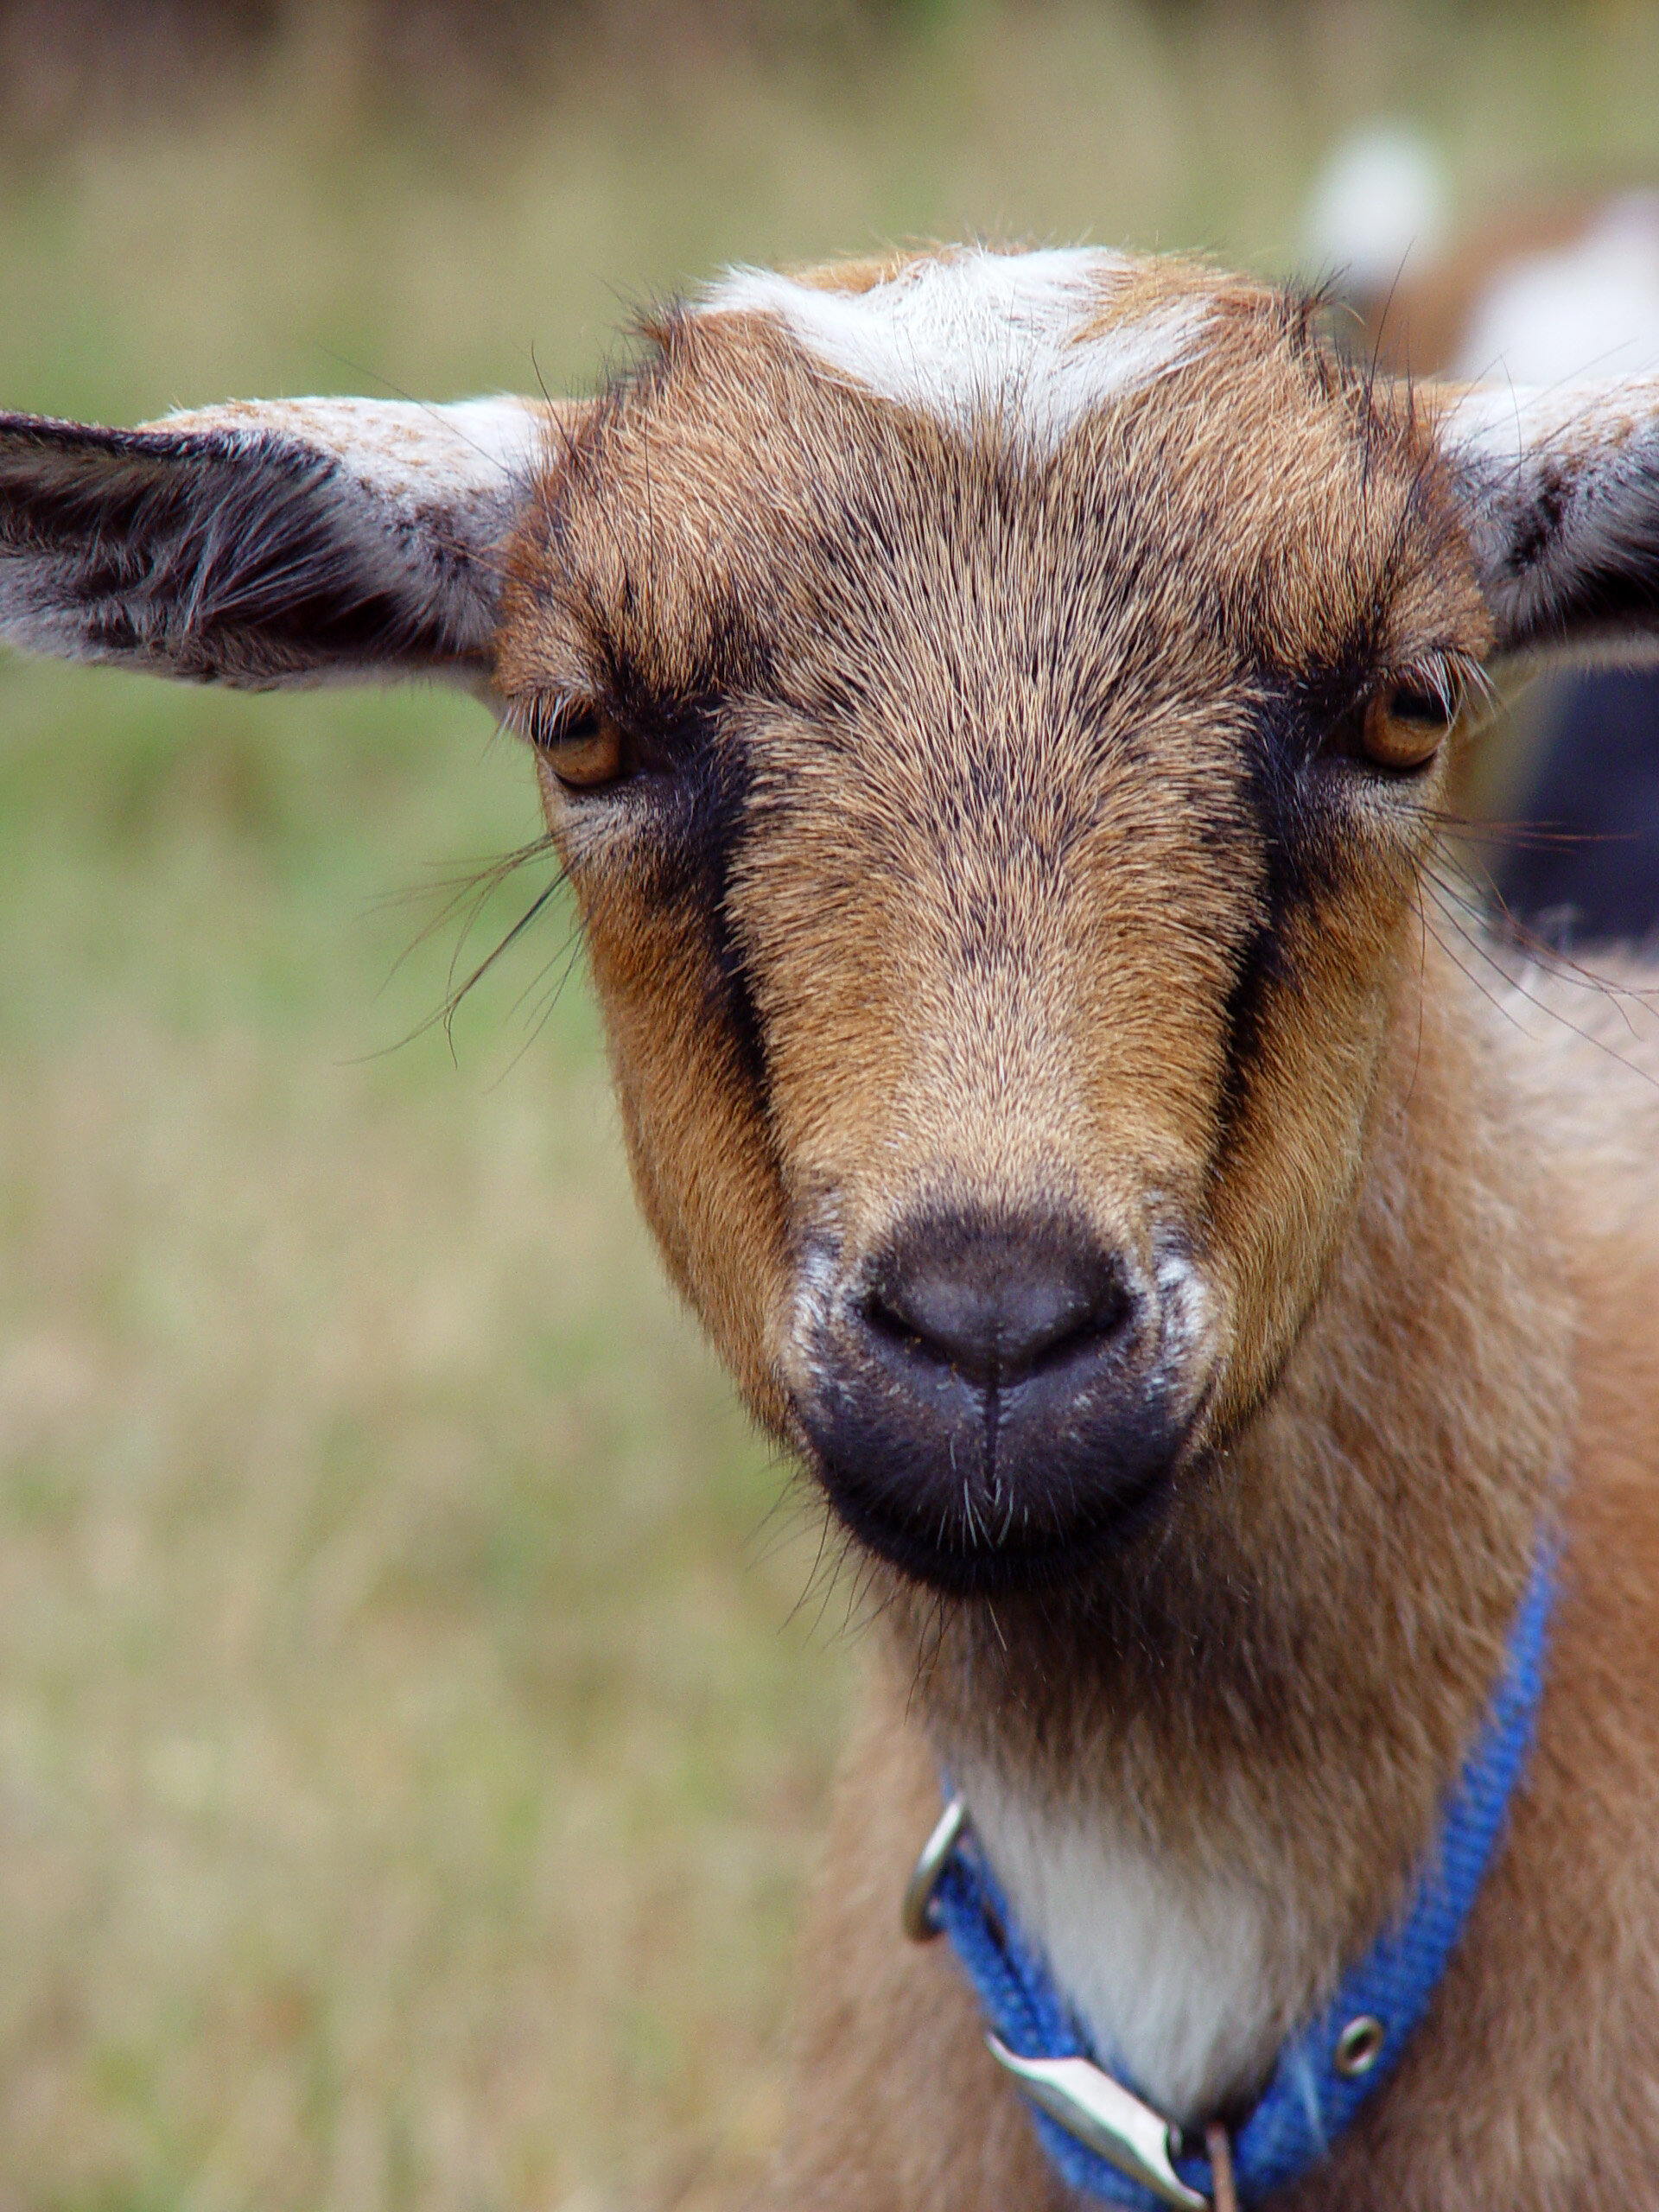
(408,1751)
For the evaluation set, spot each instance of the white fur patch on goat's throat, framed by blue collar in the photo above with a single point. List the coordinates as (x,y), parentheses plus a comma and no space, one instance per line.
(1171,1979)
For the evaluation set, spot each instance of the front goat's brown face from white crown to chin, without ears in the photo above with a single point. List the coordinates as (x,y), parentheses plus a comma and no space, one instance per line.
(997,822)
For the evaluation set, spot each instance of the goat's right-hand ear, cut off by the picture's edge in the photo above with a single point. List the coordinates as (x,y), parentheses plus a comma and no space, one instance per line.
(1561,490)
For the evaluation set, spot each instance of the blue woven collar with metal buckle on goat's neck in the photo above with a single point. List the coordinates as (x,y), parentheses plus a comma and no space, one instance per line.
(1100,2136)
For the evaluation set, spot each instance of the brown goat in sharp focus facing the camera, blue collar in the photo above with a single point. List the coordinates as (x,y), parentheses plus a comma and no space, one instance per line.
(999,716)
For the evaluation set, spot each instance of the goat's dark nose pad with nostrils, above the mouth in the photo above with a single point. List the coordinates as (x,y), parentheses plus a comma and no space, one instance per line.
(997,1304)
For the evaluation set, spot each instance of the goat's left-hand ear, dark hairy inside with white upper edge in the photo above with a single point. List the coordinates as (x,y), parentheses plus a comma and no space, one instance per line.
(267,543)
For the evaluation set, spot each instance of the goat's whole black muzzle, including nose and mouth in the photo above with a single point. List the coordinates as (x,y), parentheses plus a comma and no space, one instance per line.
(990,1397)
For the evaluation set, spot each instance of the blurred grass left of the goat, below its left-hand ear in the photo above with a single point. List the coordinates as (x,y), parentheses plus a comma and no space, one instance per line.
(404,1782)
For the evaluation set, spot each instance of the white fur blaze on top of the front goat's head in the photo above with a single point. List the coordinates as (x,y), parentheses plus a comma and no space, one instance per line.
(981,335)
